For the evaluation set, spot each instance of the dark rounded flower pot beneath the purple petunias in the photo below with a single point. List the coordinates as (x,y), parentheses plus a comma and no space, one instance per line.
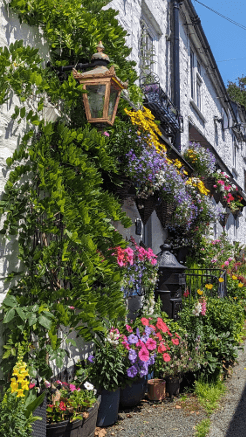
(131,395)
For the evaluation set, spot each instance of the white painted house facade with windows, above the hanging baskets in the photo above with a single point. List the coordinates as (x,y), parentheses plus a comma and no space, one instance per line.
(209,117)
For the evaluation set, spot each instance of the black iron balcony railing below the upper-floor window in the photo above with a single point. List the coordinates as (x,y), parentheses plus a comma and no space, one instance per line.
(163,109)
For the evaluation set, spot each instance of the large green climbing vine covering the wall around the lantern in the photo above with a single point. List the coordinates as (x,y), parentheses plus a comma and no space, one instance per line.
(55,203)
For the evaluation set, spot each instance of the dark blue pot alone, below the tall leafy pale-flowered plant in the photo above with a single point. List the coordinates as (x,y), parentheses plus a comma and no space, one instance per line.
(109,407)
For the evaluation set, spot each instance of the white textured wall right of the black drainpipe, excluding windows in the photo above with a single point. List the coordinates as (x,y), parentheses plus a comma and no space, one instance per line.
(221,140)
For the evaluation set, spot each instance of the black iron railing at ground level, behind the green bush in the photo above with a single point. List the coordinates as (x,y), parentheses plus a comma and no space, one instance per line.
(215,279)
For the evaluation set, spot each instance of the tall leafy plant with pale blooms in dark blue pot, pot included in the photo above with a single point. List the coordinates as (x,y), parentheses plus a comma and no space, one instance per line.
(106,370)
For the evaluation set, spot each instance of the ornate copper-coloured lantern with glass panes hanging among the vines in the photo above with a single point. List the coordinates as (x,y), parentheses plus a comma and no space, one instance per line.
(103,89)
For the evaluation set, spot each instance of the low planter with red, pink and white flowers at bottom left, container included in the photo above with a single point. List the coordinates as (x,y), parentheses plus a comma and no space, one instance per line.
(72,410)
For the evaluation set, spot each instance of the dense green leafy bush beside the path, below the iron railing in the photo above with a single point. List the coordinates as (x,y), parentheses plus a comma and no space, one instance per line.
(219,332)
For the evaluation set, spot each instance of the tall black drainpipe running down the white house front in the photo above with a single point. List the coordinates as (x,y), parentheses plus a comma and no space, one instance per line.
(176,72)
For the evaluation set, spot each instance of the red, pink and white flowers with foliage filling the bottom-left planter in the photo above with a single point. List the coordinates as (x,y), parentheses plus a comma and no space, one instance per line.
(68,401)
